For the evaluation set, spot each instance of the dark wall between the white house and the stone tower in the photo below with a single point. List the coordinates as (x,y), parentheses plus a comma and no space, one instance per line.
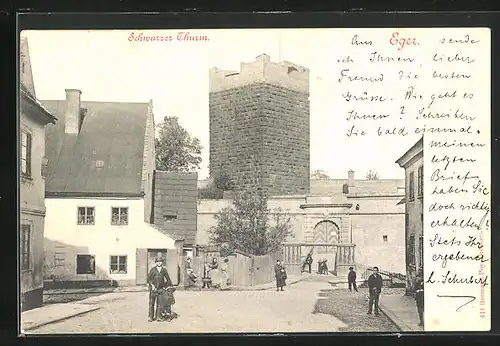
(175,195)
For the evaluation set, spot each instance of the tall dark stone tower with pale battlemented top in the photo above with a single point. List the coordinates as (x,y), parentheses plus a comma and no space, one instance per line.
(259,126)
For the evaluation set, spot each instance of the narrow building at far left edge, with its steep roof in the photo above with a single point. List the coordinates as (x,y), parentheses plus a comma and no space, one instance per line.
(33,119)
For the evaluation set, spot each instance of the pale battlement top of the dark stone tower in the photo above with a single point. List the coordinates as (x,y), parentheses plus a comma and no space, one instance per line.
(262,70)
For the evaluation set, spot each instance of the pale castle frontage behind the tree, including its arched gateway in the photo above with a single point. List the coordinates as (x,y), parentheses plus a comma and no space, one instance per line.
(366,215)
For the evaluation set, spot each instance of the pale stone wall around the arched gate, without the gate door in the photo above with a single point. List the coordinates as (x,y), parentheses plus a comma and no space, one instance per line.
(365,227)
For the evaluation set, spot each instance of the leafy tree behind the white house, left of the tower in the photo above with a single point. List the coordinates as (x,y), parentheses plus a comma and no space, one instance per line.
(176,149)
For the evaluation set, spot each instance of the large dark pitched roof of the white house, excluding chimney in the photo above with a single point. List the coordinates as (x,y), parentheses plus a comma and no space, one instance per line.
(111,132)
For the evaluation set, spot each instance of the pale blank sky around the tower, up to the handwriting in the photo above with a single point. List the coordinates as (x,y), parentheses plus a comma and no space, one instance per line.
(107,66)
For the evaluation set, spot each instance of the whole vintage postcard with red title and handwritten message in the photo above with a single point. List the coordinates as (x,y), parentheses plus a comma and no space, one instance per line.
(255,180)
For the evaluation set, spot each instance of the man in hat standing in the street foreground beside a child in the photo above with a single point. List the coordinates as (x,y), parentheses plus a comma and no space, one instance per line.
(158,281)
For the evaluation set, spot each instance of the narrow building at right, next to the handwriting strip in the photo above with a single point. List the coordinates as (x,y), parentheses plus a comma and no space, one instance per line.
(412,162)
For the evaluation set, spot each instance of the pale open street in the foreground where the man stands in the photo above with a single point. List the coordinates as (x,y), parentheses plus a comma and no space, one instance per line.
(303,307)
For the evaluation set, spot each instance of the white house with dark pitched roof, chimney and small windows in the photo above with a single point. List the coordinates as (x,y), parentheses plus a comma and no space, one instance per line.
(100,195)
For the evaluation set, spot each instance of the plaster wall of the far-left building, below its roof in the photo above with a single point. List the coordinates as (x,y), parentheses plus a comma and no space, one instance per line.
(32,208)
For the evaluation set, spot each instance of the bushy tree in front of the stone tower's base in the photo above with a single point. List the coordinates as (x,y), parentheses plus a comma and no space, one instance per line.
(250,226)
